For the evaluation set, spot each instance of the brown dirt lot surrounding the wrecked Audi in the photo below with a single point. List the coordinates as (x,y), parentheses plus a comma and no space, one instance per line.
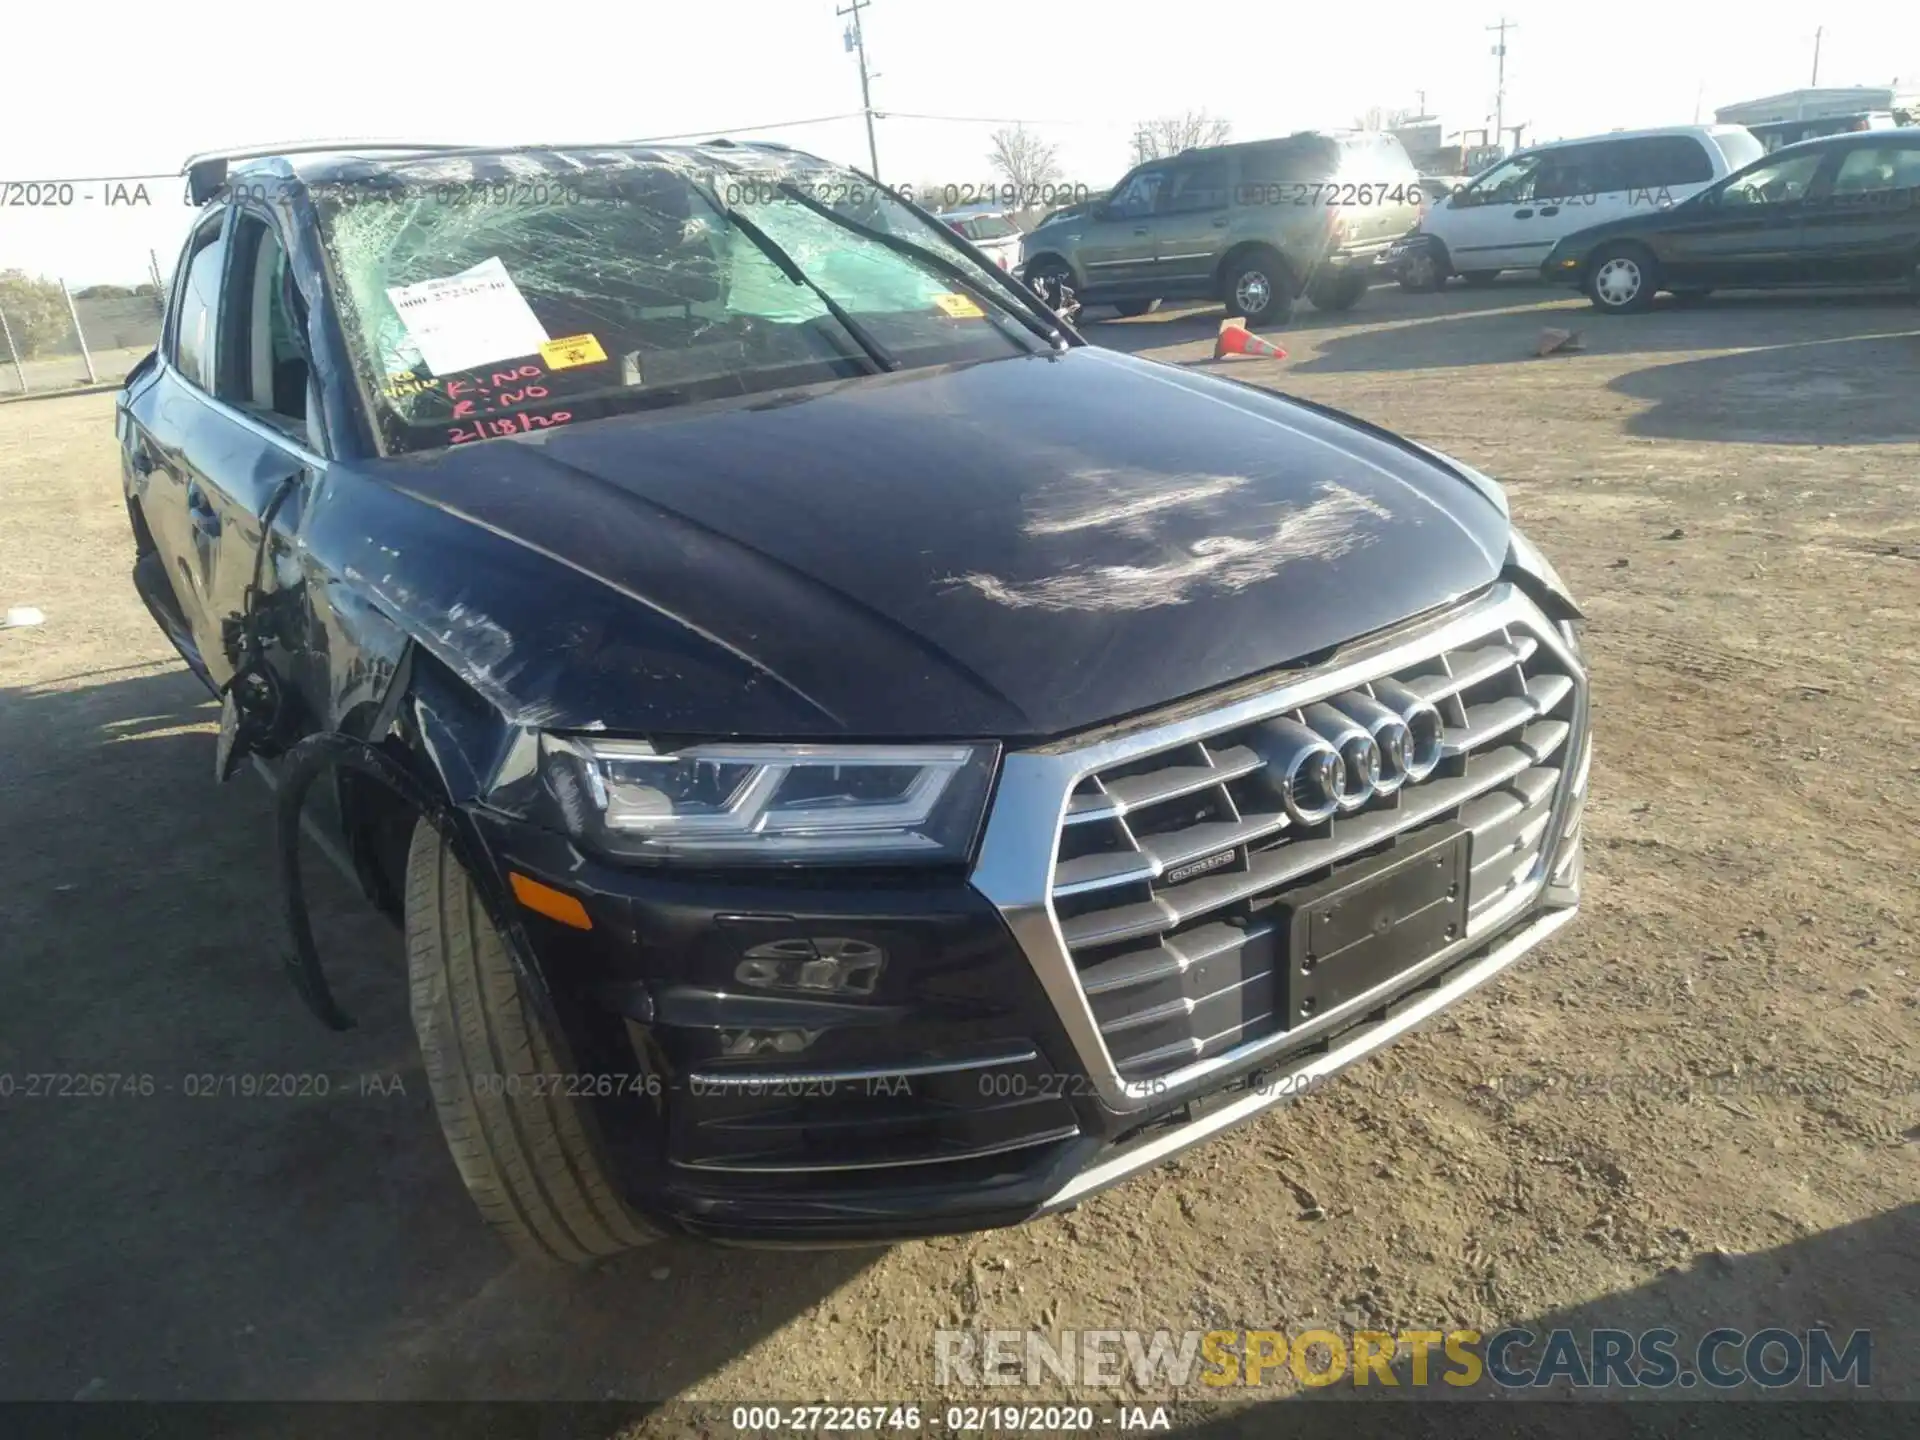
(1696,1107)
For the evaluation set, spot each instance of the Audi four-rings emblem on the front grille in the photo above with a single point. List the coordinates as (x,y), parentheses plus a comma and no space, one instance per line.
(1349,750)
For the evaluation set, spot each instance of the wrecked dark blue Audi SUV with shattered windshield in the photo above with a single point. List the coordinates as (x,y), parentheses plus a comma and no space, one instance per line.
(850,757)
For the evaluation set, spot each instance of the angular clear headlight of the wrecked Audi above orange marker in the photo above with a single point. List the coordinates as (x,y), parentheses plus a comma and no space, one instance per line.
(731,804)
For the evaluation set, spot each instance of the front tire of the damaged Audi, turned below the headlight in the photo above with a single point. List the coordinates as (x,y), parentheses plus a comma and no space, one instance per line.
(521,1149)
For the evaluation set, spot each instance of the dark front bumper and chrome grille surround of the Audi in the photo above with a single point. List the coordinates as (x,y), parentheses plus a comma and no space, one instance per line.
(971,1088)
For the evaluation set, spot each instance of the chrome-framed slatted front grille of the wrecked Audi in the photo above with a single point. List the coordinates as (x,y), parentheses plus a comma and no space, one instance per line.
(1172,844)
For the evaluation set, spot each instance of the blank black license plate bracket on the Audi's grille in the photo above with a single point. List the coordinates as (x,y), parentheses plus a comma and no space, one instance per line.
(1374,919)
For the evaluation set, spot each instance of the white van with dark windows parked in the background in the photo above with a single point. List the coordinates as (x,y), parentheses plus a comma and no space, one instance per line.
(1510,216)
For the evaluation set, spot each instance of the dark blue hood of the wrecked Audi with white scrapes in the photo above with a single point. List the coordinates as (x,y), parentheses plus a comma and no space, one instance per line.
(1017,548)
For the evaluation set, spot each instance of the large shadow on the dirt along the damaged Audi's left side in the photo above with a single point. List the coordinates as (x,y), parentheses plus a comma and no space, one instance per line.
(187,1239)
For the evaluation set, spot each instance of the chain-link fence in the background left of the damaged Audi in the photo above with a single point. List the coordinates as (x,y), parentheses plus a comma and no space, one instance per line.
(57,339)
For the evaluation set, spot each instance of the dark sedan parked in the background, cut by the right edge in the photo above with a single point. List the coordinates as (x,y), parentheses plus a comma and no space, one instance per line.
(1842,210)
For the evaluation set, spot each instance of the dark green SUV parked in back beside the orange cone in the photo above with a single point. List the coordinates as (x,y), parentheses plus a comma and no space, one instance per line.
(1257,226)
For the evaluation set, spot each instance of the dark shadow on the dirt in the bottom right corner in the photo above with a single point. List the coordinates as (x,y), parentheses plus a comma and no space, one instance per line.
(1850,1280)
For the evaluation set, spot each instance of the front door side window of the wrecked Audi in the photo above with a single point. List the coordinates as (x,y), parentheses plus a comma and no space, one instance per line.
(262,366)
